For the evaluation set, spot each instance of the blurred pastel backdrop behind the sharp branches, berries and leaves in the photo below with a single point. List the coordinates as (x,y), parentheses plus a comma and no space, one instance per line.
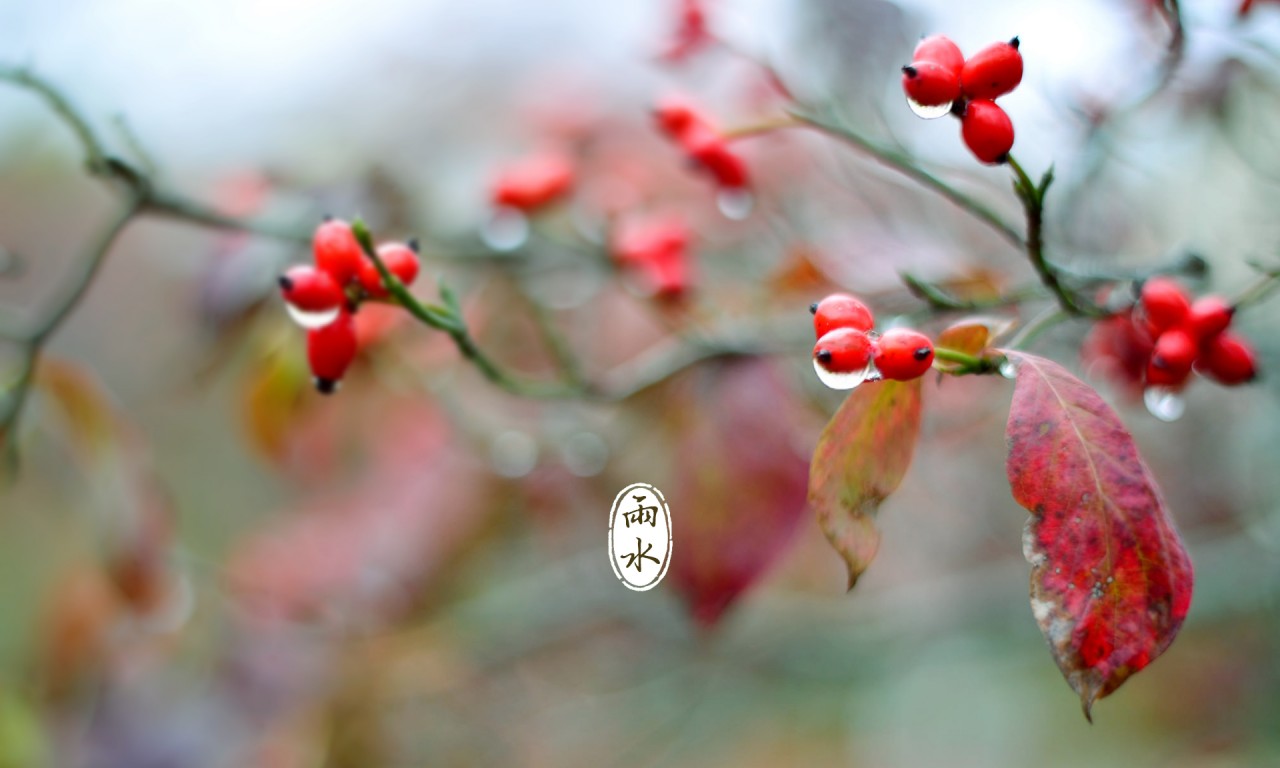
(203,563)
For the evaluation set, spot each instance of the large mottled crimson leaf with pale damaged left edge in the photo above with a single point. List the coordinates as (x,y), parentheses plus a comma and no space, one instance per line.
(1112,582)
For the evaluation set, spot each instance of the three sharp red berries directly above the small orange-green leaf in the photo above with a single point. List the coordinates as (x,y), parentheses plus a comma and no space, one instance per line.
(848,344)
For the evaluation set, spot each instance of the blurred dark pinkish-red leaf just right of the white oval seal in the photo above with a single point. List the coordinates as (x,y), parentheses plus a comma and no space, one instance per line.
(740,483)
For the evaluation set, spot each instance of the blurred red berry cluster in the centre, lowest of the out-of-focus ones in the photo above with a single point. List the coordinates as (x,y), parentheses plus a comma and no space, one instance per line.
(659,249)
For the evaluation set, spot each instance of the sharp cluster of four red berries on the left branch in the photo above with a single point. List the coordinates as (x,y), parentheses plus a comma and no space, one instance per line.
(330,294)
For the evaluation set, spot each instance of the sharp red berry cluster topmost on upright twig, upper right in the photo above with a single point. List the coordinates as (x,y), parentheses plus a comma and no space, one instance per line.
(940,76)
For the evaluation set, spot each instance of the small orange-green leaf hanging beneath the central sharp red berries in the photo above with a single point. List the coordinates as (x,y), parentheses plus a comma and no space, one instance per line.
(861,459)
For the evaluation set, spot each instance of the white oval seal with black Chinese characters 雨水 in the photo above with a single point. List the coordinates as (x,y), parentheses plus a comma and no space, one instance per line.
(641,537)
